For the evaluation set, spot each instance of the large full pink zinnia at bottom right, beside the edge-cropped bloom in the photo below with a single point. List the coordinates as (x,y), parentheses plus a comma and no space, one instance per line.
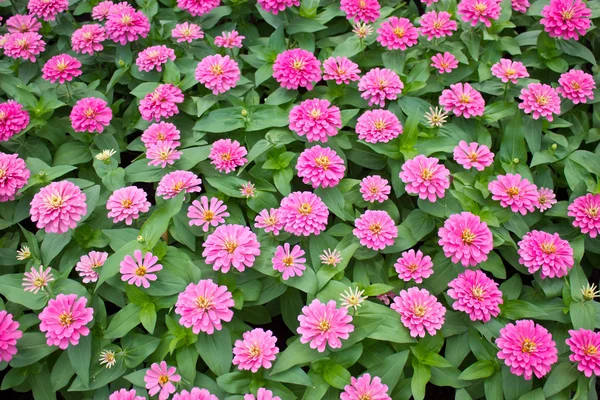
(527,348)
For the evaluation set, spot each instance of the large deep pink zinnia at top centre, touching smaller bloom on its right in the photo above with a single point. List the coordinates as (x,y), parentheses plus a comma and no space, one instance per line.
(297,68)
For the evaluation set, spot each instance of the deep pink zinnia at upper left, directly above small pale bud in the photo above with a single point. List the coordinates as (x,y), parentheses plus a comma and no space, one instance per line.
(90,114)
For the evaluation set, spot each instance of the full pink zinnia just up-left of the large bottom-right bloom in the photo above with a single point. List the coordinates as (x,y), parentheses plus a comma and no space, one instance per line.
(476,295)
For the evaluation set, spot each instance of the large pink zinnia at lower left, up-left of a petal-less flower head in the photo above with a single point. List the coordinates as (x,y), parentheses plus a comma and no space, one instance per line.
(64,320)
